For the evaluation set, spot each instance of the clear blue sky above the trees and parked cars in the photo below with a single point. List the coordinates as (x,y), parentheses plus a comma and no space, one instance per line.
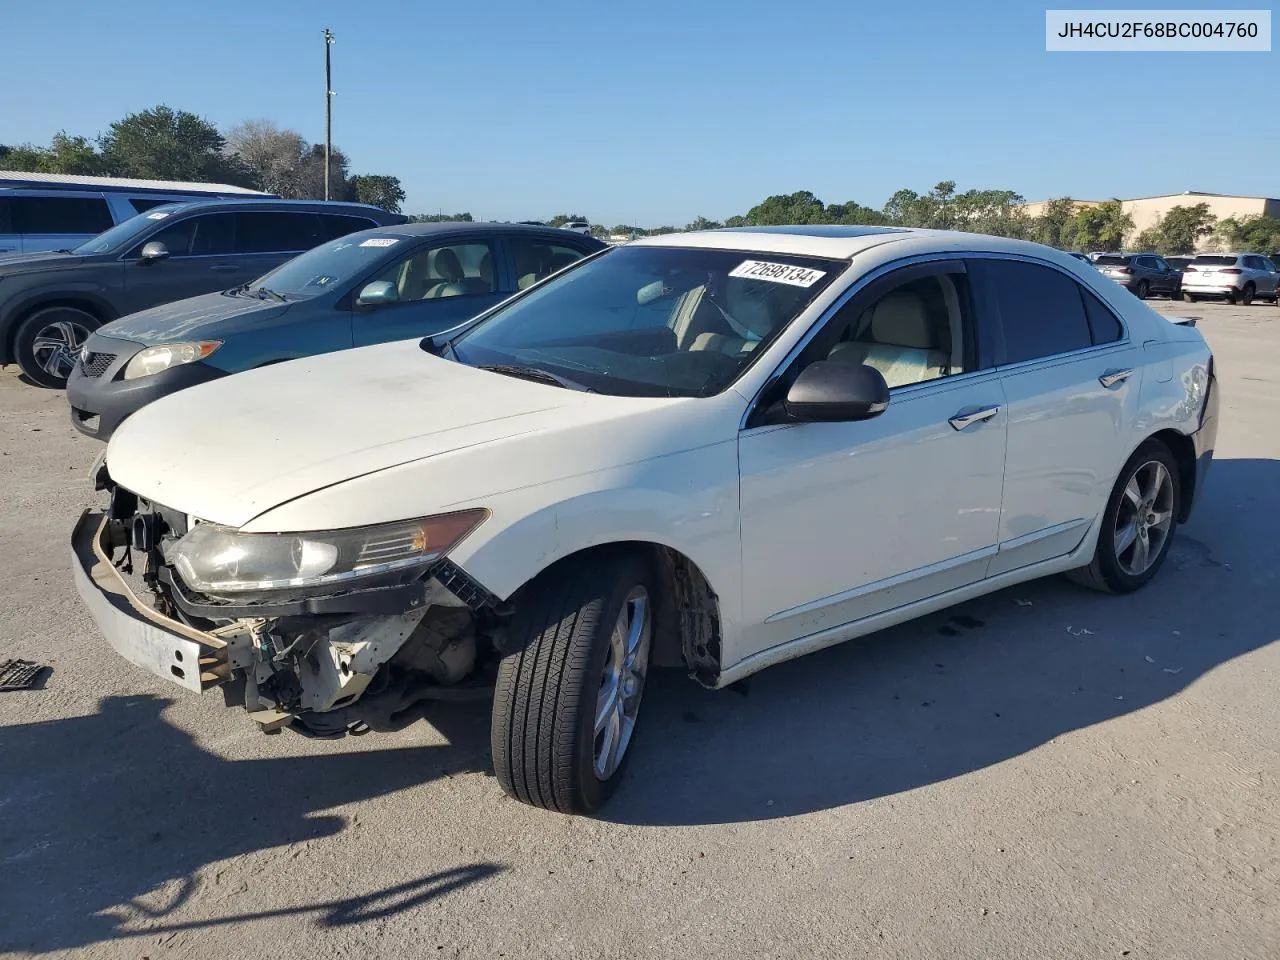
(662,111)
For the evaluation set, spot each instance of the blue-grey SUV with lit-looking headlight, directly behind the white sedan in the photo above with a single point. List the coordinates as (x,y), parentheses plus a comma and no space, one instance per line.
(369,287)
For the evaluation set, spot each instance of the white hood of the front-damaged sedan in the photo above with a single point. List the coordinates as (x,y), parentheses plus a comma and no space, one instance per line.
(234,449)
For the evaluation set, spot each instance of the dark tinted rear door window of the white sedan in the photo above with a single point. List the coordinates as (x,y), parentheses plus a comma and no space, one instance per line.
(1041,310)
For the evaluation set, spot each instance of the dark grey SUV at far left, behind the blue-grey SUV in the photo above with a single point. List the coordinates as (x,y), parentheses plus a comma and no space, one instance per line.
(51,303)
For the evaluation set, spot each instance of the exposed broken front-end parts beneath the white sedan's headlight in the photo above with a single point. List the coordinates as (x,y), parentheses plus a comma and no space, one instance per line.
(327,662)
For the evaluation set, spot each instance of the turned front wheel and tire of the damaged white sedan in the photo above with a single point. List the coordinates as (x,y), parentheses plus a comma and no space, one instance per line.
(566,702)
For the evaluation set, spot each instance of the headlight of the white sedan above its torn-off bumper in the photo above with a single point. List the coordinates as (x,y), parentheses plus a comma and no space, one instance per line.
(220,560)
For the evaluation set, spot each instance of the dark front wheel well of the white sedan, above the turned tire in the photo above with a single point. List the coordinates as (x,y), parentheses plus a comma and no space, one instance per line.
(687,611)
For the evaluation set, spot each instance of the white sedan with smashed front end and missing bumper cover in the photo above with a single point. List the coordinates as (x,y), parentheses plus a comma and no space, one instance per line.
(715,450)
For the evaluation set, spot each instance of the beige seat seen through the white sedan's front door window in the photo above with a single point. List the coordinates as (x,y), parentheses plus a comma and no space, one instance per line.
(902,341)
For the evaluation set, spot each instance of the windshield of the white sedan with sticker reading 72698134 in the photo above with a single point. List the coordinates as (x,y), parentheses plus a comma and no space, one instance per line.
(651,322)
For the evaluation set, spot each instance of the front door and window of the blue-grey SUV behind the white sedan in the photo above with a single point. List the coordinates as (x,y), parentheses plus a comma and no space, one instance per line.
(440,285)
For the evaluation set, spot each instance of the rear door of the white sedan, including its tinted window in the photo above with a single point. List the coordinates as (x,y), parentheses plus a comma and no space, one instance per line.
(1072,381)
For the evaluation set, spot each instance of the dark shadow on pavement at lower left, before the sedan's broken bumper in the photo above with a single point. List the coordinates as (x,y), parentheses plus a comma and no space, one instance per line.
(100,812)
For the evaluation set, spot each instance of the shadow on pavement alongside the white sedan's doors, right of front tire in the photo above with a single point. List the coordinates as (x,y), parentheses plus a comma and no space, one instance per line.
(967,688)
